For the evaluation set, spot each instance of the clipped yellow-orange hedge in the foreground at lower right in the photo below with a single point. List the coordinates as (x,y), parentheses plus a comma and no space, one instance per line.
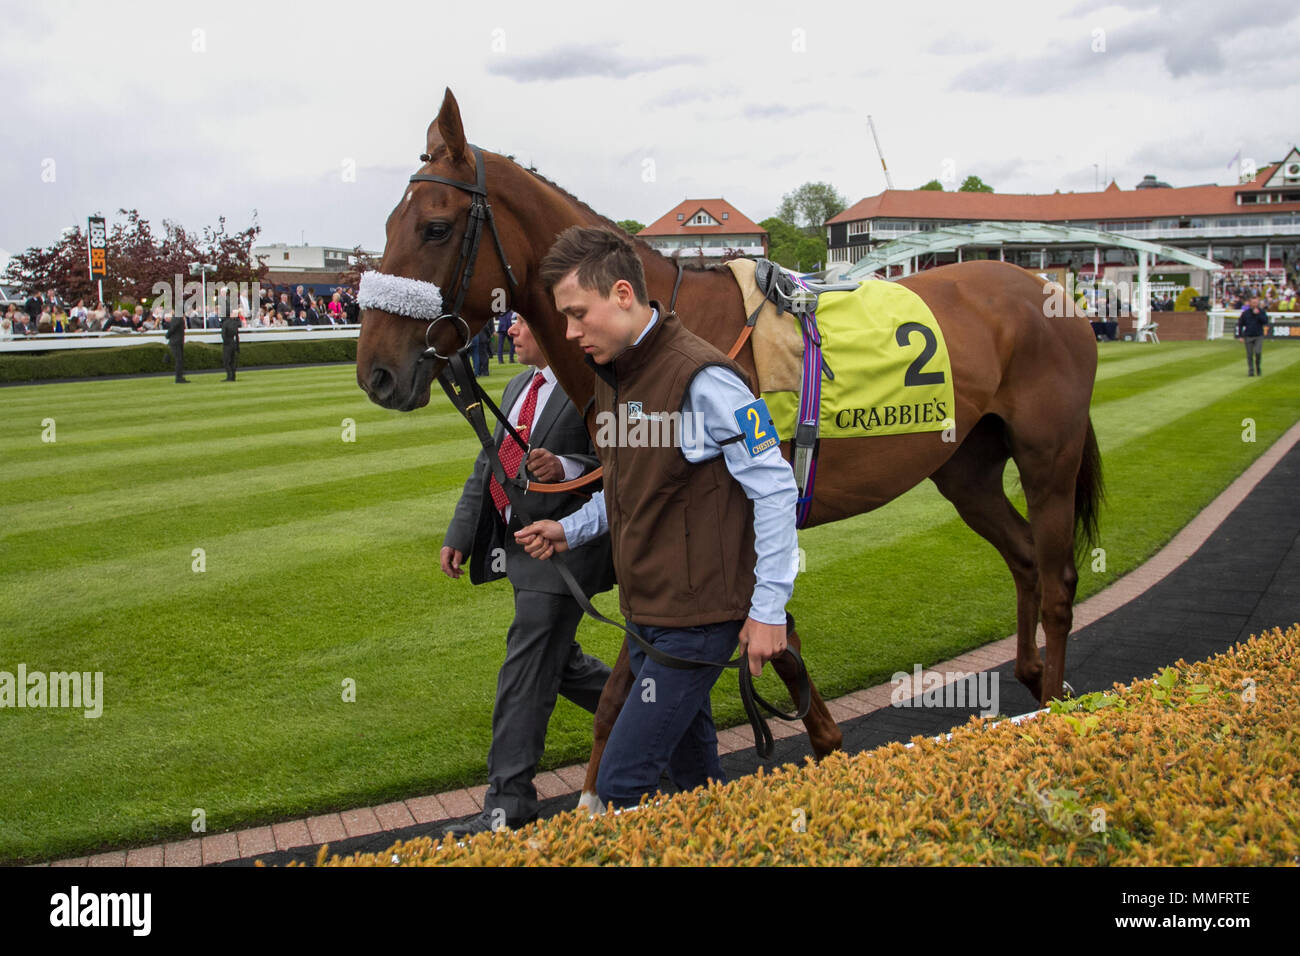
(1199,765)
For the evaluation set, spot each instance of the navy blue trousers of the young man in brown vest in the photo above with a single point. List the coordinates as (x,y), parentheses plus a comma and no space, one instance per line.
(666,723)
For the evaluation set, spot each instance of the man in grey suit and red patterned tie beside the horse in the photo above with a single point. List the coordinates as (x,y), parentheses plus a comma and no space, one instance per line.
(543,657)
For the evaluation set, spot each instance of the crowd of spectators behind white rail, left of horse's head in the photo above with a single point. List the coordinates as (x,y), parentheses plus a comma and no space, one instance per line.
(49,313)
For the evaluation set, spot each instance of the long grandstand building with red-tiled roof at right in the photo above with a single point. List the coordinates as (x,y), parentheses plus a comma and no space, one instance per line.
(1253,230)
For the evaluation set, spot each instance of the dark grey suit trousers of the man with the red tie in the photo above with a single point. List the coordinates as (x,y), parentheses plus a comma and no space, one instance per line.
(543,660)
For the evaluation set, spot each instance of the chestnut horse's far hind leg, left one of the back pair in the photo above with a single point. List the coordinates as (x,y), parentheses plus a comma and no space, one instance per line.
(973,482)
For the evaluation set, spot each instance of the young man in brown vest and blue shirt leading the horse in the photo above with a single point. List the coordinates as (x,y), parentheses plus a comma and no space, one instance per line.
(703,530)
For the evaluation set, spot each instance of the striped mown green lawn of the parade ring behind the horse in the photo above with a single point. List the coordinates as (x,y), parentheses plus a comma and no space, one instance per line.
(223,690)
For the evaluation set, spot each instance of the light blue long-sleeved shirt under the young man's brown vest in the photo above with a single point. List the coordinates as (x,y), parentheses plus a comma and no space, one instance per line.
(716,395)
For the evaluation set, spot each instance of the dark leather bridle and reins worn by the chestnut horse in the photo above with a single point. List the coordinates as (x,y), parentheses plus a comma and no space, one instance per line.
(469,397)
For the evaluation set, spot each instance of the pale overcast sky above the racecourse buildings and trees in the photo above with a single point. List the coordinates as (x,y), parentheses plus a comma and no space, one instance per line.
(315,114)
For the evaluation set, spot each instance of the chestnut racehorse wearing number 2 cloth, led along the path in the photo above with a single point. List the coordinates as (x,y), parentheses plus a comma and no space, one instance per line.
(1022,384)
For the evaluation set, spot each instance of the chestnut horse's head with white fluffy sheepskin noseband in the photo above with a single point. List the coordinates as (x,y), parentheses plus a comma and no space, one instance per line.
(422,275)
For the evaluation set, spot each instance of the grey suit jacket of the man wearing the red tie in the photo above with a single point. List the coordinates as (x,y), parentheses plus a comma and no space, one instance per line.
(478,530)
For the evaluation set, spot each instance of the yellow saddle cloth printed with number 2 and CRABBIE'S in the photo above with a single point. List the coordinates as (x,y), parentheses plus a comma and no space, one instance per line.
(892,374)
